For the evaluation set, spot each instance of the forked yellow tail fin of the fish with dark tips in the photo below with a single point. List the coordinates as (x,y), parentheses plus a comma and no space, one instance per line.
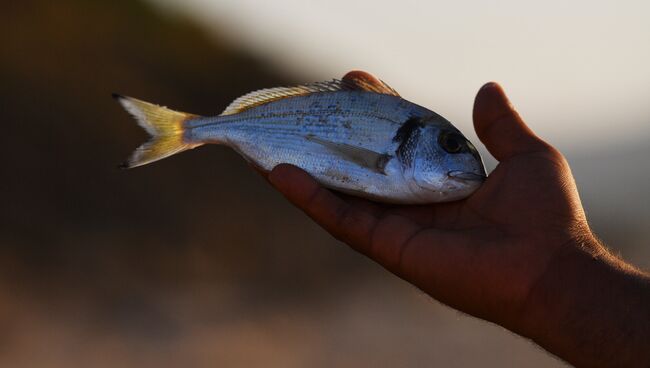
(165,126)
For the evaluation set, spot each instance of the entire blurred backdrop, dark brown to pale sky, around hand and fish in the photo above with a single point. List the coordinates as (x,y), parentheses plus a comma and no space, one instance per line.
(195,261)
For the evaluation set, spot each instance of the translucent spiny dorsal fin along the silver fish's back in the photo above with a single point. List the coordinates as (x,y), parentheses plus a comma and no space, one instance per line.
(352,81)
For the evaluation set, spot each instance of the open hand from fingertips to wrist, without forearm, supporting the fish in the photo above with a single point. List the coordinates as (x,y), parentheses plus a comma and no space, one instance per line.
(488,255)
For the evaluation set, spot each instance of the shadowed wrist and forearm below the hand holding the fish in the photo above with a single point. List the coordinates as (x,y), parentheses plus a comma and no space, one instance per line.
(591,309)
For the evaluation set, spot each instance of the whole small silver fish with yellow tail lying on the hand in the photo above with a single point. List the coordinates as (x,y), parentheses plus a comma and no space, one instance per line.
(355,135)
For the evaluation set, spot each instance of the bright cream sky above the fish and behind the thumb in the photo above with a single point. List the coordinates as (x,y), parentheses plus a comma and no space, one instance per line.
(578,71)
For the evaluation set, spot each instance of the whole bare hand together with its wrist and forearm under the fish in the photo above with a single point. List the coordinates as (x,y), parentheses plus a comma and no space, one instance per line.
(518,252)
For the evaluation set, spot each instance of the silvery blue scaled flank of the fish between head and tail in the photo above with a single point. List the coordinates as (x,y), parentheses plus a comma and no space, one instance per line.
(268,135)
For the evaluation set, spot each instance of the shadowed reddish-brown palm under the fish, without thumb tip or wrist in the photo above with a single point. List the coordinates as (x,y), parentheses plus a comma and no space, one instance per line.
(475,243)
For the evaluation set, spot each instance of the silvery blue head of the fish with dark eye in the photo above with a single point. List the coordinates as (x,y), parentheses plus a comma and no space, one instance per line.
(445,162)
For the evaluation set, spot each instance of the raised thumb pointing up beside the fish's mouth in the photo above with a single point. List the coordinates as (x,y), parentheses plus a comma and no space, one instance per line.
(500,127)
